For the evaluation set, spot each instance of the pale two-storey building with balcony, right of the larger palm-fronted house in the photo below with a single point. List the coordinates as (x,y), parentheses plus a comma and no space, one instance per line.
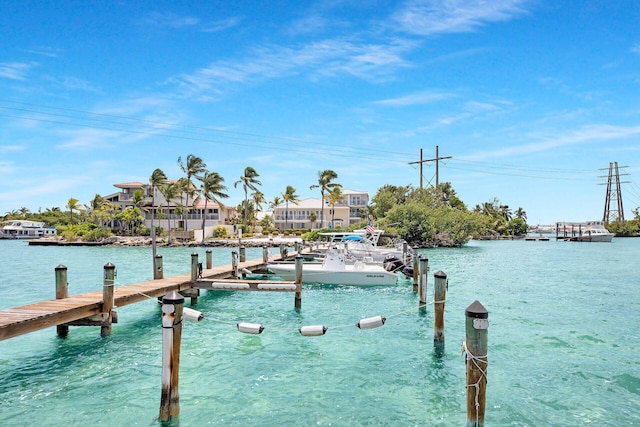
(350,209)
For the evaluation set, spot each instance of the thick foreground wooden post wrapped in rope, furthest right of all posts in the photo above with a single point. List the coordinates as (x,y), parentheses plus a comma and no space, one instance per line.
(477,323)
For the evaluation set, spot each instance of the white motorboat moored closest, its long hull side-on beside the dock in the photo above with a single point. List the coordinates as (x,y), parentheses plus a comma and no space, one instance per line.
(334,270)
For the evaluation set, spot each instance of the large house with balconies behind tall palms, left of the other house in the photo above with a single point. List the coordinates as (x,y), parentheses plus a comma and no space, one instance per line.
(174,214)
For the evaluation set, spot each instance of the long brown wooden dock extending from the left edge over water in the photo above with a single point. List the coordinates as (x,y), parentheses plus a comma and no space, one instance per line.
(88,307)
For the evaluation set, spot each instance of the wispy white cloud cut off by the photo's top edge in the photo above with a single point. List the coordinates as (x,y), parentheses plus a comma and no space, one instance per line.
(426,17)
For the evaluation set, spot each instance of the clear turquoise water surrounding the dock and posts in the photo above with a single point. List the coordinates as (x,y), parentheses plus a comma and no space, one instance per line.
(563,344)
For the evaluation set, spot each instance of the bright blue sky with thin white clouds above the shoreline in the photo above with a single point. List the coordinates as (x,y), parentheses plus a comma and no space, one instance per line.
(531,99)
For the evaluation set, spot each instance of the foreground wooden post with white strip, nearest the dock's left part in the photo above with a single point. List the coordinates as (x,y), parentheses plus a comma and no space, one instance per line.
(172,308)
